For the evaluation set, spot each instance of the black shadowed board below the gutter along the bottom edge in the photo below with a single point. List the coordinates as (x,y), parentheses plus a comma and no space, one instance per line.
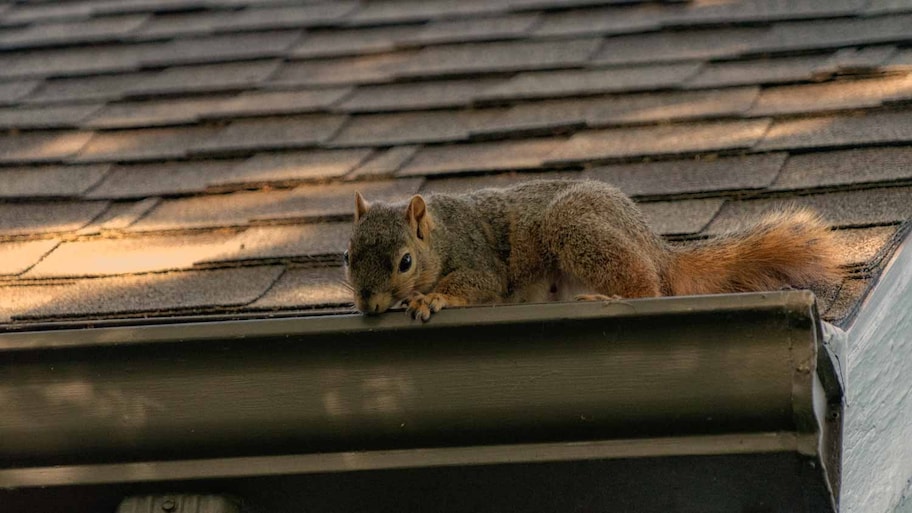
(770,483)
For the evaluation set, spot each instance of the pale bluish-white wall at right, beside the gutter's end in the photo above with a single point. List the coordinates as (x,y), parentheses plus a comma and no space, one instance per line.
(877,442)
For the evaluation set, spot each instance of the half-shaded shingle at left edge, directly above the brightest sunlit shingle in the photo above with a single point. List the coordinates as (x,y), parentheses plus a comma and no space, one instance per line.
(40,217)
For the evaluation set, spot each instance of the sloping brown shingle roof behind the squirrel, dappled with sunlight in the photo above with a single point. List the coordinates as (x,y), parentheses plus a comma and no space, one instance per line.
(173,158)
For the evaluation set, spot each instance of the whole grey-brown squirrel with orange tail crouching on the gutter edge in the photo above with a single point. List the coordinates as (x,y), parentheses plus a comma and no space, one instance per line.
(550,240)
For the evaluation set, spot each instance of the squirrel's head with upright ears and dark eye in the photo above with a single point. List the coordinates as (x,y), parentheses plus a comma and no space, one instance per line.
(389,255)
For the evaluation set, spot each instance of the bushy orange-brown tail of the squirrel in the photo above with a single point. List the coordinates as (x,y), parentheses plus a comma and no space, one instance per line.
(793,247)
